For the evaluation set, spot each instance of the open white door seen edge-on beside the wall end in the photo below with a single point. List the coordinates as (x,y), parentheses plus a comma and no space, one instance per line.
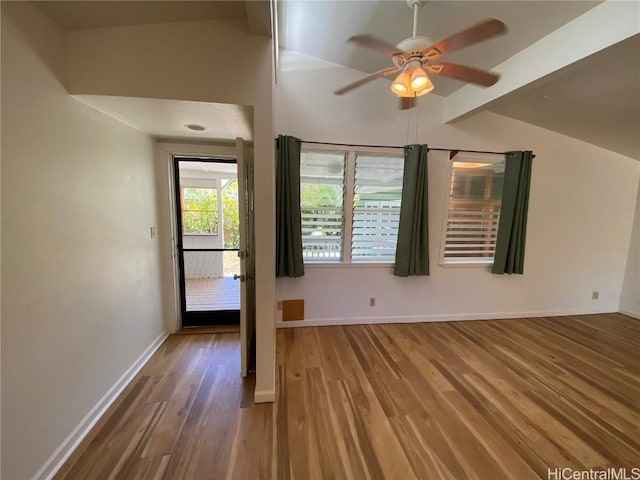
(247,257)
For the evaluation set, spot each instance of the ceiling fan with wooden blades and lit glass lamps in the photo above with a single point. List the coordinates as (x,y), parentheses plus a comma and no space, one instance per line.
(416,56)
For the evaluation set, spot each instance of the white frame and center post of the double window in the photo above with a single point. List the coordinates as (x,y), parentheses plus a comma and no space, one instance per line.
(350,153)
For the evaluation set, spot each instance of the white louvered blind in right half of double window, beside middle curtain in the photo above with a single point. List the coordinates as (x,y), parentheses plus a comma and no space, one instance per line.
(376,208)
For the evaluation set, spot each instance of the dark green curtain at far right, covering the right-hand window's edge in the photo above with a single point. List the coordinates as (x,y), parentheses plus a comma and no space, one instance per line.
(512,229)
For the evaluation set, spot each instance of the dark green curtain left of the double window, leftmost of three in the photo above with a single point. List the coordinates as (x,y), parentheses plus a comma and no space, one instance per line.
(288,217)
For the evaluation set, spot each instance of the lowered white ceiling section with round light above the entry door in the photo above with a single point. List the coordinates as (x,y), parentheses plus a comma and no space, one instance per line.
(167,118)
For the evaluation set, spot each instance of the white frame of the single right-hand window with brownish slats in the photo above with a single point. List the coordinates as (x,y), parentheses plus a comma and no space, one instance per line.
(471,262)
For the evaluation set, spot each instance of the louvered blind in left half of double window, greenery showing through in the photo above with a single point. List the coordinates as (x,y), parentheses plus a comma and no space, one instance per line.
(321,201)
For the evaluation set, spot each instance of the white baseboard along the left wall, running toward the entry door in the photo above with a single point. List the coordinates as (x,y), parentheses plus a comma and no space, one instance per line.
(68,446)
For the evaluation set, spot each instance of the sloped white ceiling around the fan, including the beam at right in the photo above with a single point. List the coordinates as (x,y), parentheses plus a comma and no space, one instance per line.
(578,85)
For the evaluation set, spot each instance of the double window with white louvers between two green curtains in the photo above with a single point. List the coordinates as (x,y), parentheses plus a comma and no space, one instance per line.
(369,184)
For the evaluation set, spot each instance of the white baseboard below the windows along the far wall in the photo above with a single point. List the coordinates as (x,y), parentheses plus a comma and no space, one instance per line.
(452,317)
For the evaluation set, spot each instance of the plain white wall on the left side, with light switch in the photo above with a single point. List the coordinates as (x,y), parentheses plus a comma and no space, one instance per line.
(80,274)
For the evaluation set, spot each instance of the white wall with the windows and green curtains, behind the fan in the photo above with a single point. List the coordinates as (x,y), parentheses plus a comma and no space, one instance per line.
(581,209)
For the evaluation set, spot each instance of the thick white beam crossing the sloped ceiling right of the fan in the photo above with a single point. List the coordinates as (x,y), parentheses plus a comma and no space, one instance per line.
(599,28)
